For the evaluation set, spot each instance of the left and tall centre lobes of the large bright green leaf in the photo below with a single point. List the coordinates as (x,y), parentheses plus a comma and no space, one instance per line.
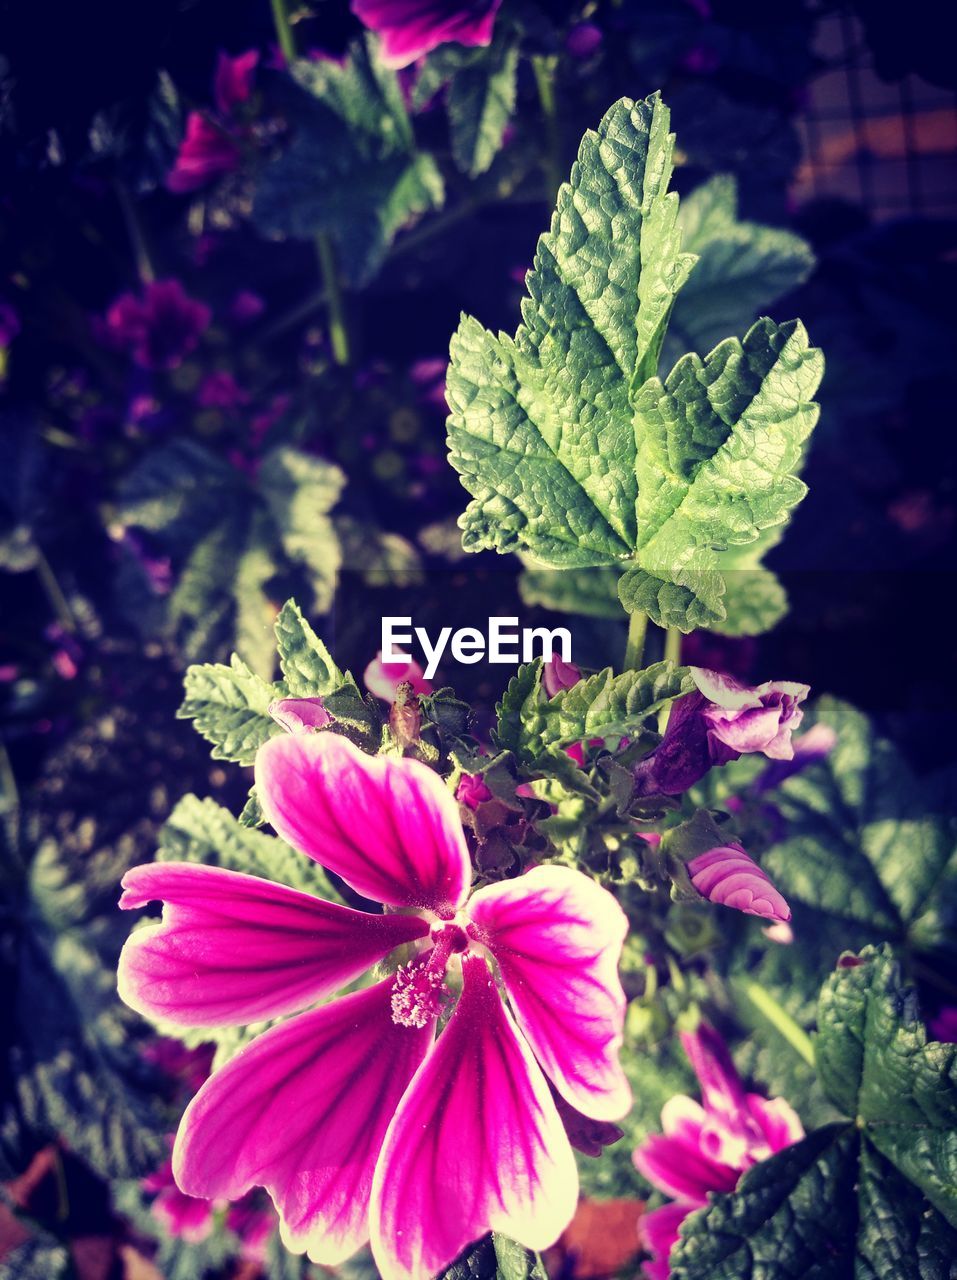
(541,426)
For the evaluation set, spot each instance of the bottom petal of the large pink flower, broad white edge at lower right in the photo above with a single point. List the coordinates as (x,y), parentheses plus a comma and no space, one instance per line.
(475,1146)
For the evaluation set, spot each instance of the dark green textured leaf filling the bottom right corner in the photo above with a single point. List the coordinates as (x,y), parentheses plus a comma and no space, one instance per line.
(850,1199)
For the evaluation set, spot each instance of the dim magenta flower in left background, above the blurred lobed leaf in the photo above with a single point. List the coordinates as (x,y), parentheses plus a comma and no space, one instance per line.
(159,328)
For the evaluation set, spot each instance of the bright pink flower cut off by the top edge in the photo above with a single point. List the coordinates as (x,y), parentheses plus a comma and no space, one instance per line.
(411,29)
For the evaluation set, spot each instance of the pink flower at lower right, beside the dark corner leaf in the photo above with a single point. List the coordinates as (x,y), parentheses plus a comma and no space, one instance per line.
(706,1148)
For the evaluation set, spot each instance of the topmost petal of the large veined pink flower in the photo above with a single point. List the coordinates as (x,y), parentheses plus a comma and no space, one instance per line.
(391,829)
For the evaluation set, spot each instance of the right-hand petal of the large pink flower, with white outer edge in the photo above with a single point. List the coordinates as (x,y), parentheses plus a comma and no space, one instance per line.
(557,938)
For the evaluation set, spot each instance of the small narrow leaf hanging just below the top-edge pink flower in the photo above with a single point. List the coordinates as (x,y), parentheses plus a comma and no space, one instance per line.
(480,104)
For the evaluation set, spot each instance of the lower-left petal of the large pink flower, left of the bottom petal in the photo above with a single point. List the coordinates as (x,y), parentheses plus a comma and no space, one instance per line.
(303,1112)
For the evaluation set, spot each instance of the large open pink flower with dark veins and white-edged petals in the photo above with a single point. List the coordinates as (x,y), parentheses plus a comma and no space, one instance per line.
(352,1116)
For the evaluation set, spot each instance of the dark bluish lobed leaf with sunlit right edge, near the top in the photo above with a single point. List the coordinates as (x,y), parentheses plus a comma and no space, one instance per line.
(352,170)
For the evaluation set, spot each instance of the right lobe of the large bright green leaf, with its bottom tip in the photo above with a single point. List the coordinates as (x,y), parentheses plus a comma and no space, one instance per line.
(721,444)
